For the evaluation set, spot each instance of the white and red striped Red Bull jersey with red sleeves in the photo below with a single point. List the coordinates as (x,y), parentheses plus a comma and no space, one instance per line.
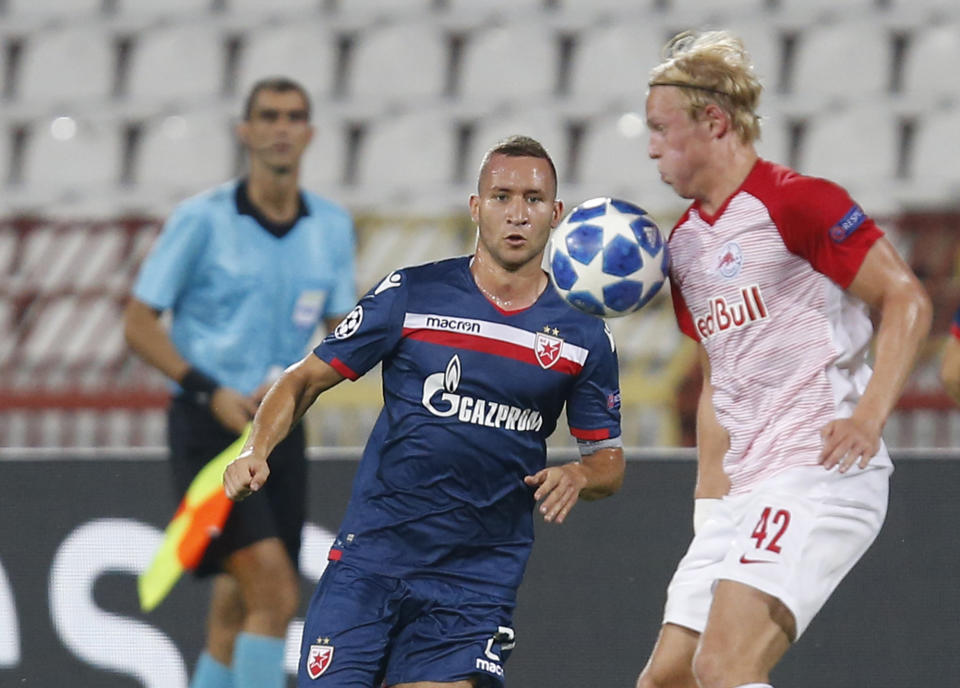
(761,285)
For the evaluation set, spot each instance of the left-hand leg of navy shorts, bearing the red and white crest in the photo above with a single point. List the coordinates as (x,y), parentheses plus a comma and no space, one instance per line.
(348,629)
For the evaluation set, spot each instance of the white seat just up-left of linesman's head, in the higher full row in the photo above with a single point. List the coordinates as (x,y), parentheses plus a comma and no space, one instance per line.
(177,65)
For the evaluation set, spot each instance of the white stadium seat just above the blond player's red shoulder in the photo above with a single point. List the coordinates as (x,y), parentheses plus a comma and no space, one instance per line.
(865,163)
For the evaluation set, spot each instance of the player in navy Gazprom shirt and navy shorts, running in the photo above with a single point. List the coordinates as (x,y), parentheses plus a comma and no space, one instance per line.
(479,355)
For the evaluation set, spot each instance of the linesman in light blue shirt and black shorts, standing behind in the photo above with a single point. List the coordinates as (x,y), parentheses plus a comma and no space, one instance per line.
(247,270)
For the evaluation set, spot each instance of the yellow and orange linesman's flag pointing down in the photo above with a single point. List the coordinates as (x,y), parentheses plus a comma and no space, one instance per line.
(199,517)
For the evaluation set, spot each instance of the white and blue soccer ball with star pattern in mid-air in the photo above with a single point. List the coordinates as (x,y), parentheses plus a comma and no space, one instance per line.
(607,258)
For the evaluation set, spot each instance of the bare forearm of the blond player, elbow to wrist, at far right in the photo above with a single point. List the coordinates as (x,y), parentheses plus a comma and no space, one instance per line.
(904,324)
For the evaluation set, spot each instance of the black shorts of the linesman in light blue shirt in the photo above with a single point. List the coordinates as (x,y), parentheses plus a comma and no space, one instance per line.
(278,510)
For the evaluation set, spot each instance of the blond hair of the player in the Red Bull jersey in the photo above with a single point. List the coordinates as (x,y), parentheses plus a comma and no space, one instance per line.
(713,67)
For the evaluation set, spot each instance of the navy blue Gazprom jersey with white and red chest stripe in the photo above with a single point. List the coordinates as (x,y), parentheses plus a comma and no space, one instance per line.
(471,393)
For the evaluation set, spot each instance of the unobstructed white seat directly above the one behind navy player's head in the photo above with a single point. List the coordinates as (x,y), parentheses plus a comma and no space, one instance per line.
(512,63)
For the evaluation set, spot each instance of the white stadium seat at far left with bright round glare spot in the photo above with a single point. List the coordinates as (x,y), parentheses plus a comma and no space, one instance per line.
(66,158)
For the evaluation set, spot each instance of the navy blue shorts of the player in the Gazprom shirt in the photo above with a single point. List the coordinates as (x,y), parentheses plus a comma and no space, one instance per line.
(363,629)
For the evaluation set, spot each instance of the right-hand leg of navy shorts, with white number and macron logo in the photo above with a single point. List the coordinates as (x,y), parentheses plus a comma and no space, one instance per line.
(457,635)
